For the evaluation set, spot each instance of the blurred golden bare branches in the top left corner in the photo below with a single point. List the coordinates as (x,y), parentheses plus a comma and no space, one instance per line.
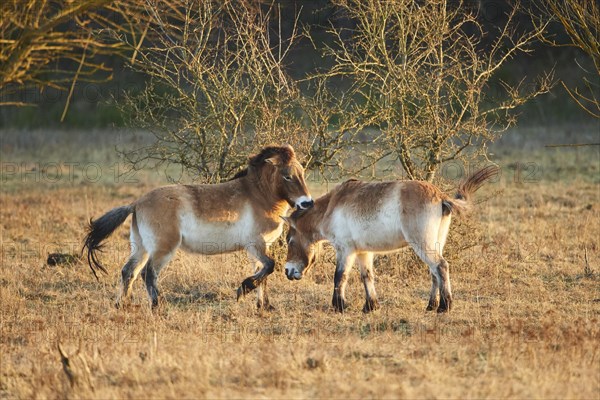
(40,38)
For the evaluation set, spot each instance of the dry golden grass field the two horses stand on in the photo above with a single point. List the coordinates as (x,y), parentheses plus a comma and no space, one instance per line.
(525,322)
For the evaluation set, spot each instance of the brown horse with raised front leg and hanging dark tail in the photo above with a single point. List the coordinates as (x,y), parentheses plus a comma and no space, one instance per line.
(243,213)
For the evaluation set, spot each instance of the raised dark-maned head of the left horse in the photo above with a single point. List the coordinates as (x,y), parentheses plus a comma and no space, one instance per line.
(283,175)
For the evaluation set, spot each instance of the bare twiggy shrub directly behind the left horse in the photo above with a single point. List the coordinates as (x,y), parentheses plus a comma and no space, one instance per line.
(217,89)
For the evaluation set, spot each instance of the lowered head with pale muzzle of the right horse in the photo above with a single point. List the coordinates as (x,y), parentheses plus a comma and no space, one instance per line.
(301,245)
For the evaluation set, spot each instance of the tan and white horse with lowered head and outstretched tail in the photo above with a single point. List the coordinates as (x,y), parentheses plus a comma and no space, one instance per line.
(361,219)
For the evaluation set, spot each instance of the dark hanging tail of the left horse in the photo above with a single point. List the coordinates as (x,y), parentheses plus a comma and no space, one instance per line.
(99,230)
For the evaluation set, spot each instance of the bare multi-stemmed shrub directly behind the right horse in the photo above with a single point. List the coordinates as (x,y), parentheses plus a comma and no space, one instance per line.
(422,71)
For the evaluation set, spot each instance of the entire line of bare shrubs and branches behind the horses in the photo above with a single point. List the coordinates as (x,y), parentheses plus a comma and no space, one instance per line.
(348,83)
